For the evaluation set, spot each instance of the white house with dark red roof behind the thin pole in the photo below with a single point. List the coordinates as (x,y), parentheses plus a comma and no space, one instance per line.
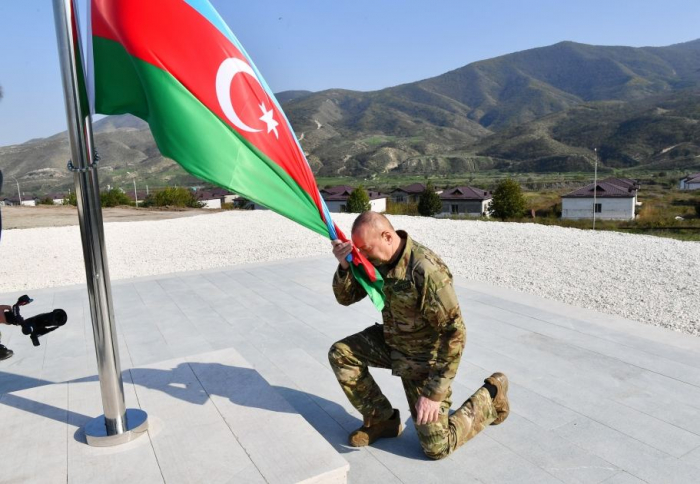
(615,199)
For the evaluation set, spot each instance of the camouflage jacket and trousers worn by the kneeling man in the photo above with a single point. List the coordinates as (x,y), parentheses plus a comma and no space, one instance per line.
(421,341)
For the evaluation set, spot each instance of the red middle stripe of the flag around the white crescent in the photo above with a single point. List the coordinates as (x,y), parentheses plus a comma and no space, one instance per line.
(173,36)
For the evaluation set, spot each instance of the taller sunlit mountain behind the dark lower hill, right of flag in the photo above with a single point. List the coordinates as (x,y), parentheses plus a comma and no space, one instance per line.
(424,126)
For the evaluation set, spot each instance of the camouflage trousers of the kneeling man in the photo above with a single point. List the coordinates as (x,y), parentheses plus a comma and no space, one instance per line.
(350,359)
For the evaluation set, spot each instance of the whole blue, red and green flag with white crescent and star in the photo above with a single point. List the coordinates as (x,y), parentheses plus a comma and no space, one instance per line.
(176,65)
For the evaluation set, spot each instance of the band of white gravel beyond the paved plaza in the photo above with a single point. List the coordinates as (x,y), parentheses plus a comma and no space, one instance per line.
(647,279)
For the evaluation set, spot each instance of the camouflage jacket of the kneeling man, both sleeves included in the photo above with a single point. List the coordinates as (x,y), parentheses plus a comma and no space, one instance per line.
(423,324)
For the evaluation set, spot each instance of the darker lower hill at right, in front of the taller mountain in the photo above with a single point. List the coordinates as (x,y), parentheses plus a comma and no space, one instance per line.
(660,132)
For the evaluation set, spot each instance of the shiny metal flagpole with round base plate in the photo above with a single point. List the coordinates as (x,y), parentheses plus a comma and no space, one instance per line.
(118,424)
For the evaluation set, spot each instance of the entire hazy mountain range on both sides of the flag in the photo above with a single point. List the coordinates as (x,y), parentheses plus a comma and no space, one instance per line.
(537,110)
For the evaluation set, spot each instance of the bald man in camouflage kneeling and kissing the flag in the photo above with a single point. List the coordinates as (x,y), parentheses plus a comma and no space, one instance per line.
(421,340)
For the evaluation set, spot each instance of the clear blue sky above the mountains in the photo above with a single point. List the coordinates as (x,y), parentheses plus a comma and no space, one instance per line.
(350,44)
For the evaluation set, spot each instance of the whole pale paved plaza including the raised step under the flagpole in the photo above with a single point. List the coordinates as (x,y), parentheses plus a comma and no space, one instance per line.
(231,366)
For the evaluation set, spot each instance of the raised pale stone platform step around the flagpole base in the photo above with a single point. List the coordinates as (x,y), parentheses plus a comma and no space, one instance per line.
(212,418)
